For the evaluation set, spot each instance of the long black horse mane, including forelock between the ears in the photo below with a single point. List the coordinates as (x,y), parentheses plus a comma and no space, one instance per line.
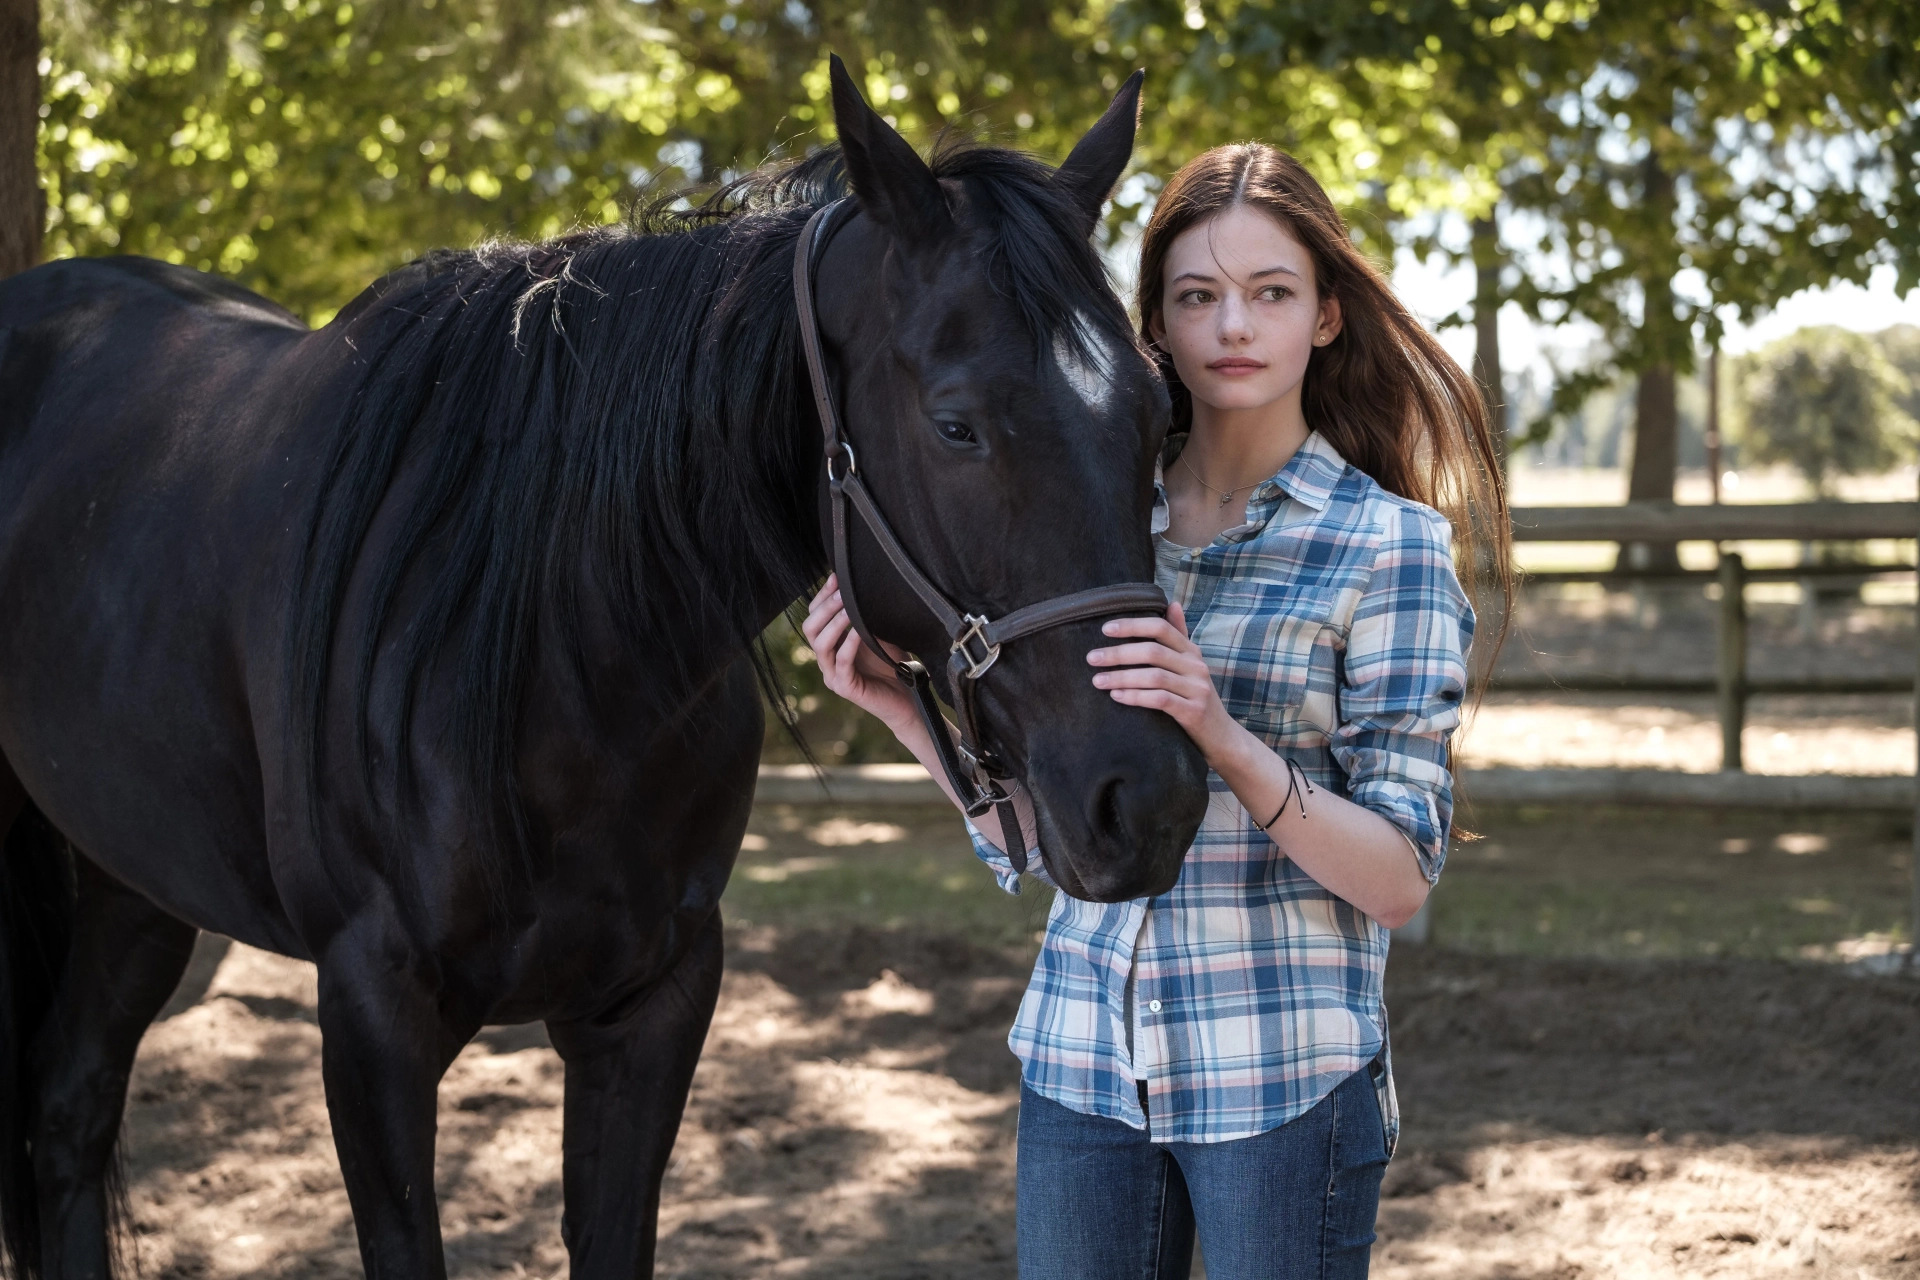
(627,398)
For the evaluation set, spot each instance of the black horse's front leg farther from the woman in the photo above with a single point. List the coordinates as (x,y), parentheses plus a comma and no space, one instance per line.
(385,1043)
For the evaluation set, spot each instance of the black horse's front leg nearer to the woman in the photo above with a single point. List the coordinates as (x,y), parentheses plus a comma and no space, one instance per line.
(627,1085)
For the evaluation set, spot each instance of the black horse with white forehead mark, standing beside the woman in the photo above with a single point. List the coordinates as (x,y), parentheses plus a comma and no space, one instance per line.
(420,646)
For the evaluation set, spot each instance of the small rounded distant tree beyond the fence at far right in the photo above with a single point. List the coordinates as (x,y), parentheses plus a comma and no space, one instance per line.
(1825,402)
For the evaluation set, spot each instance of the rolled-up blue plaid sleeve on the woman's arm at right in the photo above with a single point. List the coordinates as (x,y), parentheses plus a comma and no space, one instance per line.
(1404,682)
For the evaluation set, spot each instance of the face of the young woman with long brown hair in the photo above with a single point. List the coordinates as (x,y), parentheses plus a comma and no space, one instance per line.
(1241,312)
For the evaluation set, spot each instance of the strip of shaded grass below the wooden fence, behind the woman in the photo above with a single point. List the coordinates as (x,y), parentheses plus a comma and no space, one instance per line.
(1596,884)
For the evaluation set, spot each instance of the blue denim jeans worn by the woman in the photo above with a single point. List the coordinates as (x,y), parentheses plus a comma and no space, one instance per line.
(1101,1202)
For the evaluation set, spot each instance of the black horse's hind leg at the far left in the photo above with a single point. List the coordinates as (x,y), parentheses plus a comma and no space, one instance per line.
(124,960)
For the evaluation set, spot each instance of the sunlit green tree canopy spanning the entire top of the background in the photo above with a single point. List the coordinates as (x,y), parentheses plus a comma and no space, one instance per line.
(1646,174)
